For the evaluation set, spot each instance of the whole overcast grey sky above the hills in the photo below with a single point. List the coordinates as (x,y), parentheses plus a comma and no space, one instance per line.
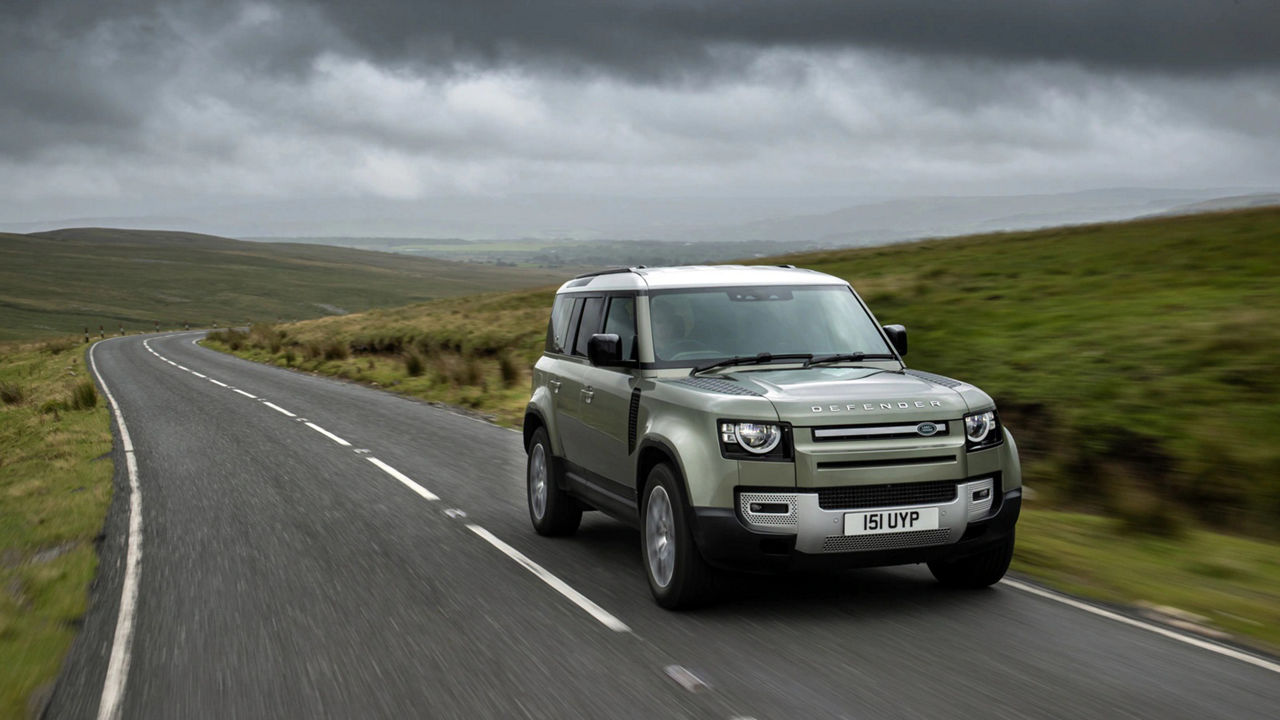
(150,106)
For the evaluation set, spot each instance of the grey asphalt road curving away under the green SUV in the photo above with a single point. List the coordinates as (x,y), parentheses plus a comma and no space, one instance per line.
(285,575)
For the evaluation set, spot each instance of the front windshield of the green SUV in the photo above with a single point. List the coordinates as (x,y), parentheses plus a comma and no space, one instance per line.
(700,326)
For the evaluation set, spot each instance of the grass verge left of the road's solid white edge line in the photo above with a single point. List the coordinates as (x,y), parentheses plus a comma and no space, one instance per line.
(56,485)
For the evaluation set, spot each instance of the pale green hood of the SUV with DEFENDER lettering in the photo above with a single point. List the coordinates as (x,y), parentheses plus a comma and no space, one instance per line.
(844,397)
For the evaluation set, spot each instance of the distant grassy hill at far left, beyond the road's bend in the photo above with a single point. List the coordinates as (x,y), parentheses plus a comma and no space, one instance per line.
(65,281)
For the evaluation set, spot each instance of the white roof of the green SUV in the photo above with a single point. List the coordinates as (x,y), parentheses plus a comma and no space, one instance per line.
(698,276)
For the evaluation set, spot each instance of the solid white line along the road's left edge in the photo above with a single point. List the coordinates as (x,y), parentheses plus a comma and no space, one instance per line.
(118,667)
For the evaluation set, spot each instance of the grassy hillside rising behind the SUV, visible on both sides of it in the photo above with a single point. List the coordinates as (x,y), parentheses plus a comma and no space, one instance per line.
(1135,362)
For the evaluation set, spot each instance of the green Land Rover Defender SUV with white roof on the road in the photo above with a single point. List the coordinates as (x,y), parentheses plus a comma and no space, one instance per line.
(760,418)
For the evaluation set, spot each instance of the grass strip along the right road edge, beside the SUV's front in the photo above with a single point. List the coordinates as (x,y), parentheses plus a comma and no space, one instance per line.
(1232,582)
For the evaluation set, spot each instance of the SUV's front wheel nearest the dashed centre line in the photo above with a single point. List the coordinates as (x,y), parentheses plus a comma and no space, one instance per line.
(678,575)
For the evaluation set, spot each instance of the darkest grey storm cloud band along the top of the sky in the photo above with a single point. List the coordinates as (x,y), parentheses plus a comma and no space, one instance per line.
(657,39)
